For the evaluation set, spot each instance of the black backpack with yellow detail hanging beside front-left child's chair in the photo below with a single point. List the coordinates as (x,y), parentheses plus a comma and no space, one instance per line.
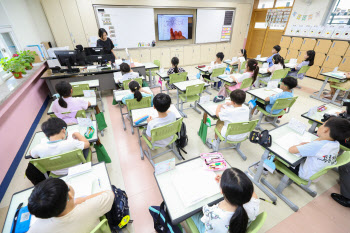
(119,210)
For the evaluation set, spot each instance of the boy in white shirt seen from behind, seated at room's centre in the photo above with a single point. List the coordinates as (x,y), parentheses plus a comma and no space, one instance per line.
(161,103)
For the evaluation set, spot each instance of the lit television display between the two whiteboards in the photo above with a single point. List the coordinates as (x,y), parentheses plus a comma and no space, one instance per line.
(175,27)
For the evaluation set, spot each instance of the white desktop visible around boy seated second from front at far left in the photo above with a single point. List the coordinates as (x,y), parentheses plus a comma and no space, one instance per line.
(40,136)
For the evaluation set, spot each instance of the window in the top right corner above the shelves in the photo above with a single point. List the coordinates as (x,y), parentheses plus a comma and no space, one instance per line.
(339,14)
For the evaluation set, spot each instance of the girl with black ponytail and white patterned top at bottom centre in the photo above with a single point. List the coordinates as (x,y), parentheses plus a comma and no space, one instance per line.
(238,209)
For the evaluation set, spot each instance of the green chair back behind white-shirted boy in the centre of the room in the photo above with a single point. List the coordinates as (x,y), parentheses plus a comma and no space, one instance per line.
(166,131)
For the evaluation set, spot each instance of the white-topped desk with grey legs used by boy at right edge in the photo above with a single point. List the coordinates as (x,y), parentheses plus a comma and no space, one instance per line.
(281,153)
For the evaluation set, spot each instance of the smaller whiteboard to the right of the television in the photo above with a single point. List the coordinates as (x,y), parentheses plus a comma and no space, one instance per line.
(210,26)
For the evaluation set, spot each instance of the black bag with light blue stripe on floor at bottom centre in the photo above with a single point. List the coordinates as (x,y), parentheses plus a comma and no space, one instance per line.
(161,220)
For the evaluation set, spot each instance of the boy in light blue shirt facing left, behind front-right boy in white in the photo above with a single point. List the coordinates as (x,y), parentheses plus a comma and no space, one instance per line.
(287,85)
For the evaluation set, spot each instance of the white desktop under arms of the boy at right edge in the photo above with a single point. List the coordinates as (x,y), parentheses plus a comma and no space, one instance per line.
(291,159)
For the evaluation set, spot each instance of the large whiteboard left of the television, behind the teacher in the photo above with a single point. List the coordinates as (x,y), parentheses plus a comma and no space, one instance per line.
(127,27)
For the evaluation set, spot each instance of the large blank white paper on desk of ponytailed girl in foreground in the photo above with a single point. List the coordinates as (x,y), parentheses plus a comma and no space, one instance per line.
(195,185)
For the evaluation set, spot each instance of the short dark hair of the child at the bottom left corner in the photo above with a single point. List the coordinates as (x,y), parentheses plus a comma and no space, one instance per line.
(49,198)
